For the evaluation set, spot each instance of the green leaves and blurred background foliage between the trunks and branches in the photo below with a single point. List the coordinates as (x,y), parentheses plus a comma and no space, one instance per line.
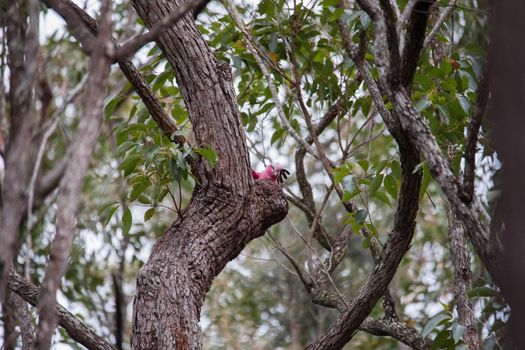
(139,180)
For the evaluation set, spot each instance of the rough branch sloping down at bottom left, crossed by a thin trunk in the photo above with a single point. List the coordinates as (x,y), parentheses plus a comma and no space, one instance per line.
(76,329)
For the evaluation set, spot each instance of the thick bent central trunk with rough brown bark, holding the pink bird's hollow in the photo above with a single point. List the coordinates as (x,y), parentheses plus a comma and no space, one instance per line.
(227,210)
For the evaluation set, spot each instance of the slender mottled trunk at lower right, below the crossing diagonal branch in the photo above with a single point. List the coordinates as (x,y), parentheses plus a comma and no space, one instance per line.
(462,280)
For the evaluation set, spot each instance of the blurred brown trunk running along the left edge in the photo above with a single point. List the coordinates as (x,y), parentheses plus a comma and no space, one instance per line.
(22,53)
